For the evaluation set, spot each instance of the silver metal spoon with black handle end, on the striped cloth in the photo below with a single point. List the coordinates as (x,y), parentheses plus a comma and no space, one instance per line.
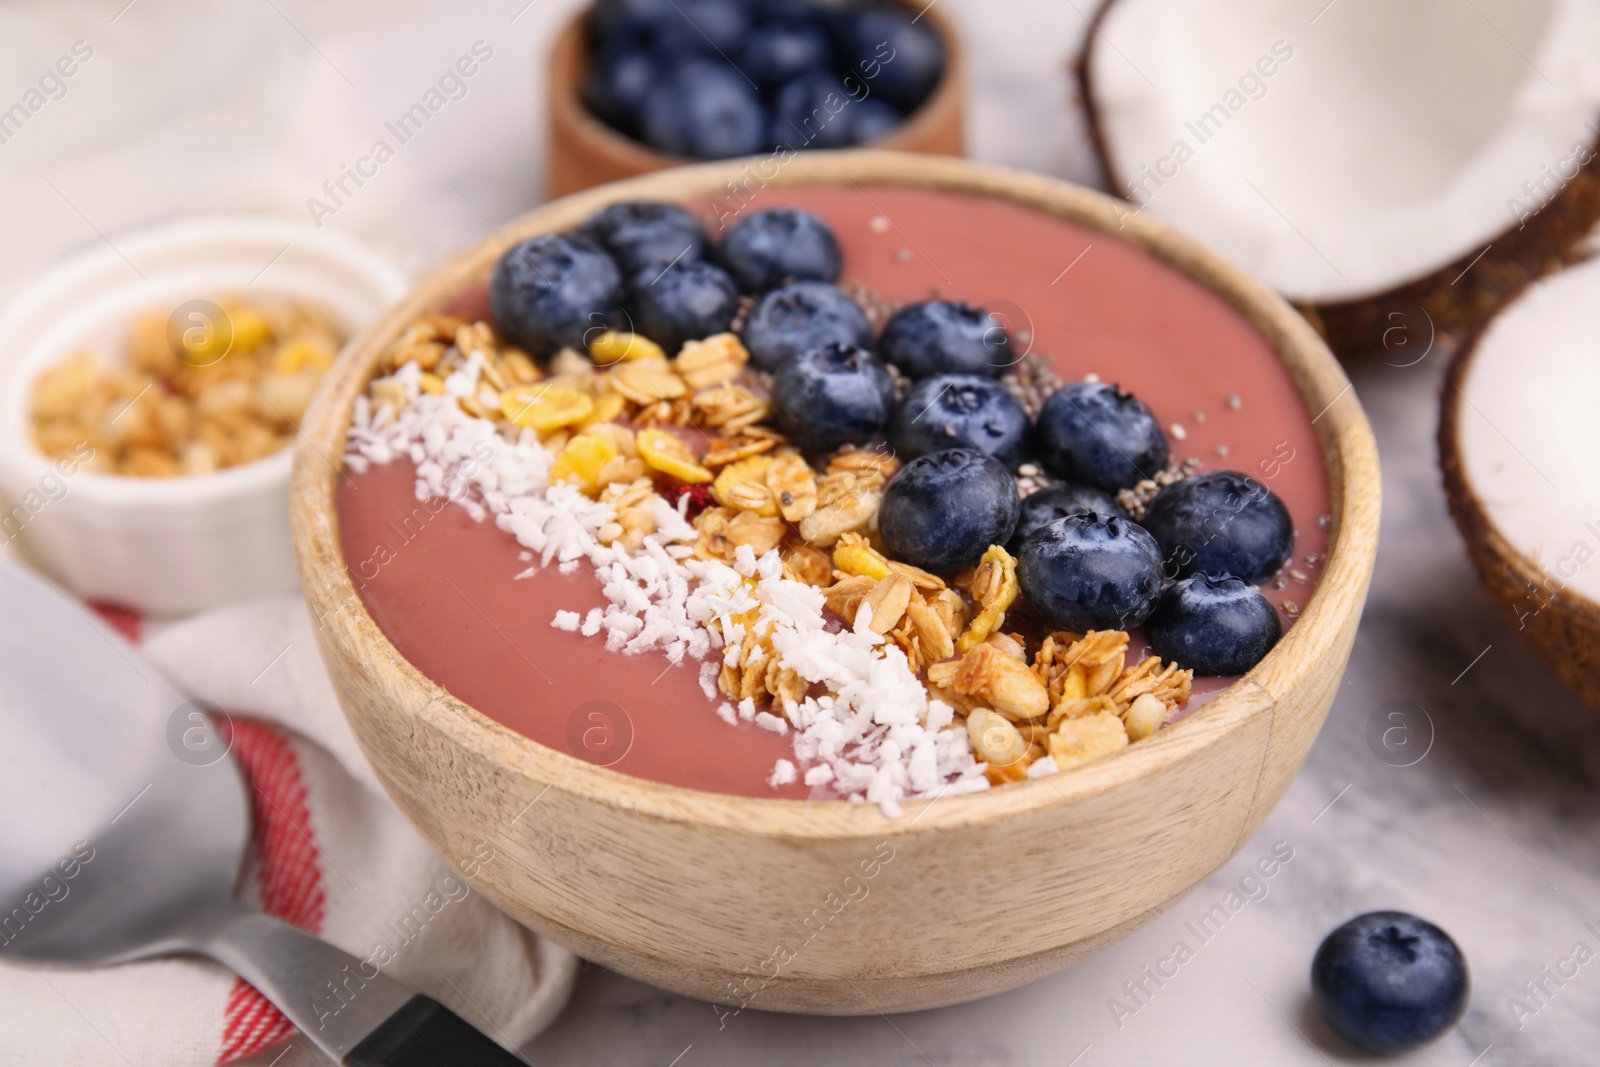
(122,831)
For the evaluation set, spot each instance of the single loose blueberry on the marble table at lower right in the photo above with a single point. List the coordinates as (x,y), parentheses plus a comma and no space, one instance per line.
(1390,983)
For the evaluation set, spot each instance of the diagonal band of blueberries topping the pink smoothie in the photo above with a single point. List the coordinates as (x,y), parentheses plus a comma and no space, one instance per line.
(1188,572)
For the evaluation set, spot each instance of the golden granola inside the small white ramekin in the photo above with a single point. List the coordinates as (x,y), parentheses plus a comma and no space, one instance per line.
(190,399)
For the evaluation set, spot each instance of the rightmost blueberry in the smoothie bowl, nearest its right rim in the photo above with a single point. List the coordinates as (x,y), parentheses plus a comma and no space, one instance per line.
(1222,522)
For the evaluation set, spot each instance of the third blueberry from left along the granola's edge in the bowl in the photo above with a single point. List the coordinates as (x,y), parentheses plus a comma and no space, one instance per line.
(834,396)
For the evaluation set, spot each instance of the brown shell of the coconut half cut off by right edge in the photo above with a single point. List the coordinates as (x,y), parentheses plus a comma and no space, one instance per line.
(1559,625)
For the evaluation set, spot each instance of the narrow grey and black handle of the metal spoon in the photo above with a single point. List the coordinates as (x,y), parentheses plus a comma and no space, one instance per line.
(353,1012)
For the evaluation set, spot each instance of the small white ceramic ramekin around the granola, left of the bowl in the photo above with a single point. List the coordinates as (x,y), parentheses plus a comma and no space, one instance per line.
(166,546)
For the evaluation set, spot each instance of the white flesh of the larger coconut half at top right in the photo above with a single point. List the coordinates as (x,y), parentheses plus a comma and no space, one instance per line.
(1342,150)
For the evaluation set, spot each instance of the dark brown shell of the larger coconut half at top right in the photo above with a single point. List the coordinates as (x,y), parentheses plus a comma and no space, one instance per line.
(1447,306)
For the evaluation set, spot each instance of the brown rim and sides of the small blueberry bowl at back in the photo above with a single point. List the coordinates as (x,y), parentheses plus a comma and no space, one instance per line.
(570,55)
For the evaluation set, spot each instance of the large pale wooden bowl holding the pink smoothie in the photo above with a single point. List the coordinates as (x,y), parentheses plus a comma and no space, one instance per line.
(974,895)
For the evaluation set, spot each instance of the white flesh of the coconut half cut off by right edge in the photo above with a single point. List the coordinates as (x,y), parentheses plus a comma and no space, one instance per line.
(1529,428)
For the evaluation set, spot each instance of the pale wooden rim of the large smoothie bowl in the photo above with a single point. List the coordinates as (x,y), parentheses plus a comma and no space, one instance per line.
(1346,441)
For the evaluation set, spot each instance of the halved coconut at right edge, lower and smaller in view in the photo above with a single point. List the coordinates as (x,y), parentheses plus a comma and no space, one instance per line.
(1521,450)
